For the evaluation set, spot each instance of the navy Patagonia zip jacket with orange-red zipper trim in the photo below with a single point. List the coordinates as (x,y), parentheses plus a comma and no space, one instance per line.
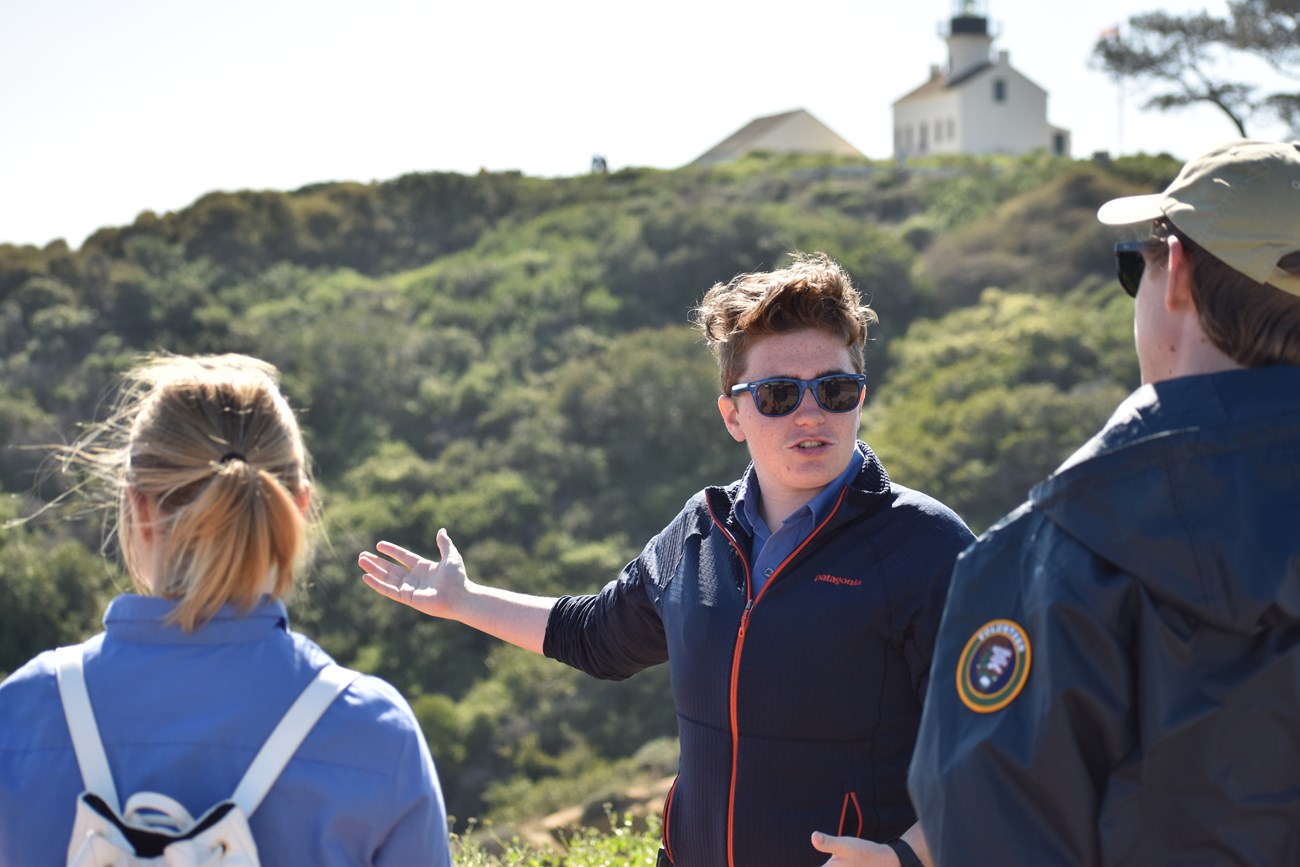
(798,708)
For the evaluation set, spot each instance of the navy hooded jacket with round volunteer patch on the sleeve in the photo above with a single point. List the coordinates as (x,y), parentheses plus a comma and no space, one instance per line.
(1155,586)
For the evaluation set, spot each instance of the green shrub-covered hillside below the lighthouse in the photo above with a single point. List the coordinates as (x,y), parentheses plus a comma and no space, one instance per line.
(508,357)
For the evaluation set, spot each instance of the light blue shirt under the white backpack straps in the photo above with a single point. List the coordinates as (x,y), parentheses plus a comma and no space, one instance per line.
(184,716)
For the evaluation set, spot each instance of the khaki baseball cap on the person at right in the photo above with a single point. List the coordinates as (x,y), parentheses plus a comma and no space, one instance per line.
(1241,202)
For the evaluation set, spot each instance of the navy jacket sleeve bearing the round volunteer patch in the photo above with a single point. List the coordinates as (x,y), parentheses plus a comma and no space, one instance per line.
(1024,783)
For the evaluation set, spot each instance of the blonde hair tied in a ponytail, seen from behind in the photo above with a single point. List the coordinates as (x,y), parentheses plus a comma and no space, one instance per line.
(214,448)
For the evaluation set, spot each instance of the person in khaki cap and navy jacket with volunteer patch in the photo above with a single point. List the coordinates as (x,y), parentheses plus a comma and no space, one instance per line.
(1117,679)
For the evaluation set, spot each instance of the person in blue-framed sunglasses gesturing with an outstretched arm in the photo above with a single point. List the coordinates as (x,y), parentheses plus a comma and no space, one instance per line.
(796,606)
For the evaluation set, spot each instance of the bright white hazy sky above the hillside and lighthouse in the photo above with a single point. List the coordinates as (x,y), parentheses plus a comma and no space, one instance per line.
(115,107)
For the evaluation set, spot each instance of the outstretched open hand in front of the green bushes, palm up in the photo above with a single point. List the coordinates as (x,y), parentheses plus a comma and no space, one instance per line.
(430,587)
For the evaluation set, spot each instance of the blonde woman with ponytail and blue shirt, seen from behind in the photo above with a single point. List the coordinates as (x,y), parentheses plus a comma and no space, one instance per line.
(206,465)
